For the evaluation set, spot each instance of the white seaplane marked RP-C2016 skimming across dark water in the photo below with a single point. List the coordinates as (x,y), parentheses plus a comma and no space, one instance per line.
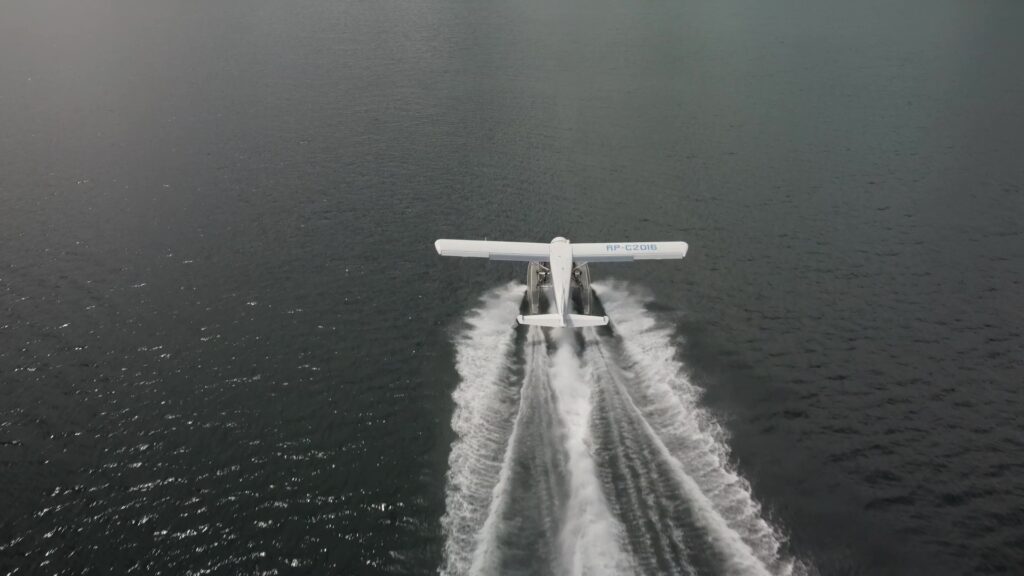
(564,268)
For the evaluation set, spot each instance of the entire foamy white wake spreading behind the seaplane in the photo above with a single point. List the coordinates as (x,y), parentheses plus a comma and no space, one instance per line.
(594,461)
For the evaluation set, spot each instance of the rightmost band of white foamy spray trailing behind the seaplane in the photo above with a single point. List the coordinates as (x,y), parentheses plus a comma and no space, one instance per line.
(686,438)
